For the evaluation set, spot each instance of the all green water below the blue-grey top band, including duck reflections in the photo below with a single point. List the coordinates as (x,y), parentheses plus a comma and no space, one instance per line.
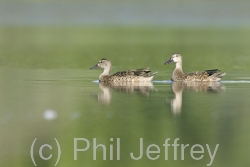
(47,92)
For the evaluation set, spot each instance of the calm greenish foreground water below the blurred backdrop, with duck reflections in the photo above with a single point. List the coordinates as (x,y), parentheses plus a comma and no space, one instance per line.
(66,104)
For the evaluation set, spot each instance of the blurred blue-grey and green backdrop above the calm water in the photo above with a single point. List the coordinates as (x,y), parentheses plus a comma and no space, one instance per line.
(76,34)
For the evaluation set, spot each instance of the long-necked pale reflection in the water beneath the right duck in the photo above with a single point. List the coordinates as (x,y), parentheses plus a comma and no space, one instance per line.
(178,87)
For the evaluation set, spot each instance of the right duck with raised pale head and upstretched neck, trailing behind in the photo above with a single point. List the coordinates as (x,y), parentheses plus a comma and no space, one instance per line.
(200,76)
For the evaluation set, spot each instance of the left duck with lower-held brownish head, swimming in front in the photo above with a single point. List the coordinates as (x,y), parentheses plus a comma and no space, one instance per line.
(138,75)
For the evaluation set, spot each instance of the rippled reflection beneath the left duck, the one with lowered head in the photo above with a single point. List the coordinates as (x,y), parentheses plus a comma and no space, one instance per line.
(126,87)
